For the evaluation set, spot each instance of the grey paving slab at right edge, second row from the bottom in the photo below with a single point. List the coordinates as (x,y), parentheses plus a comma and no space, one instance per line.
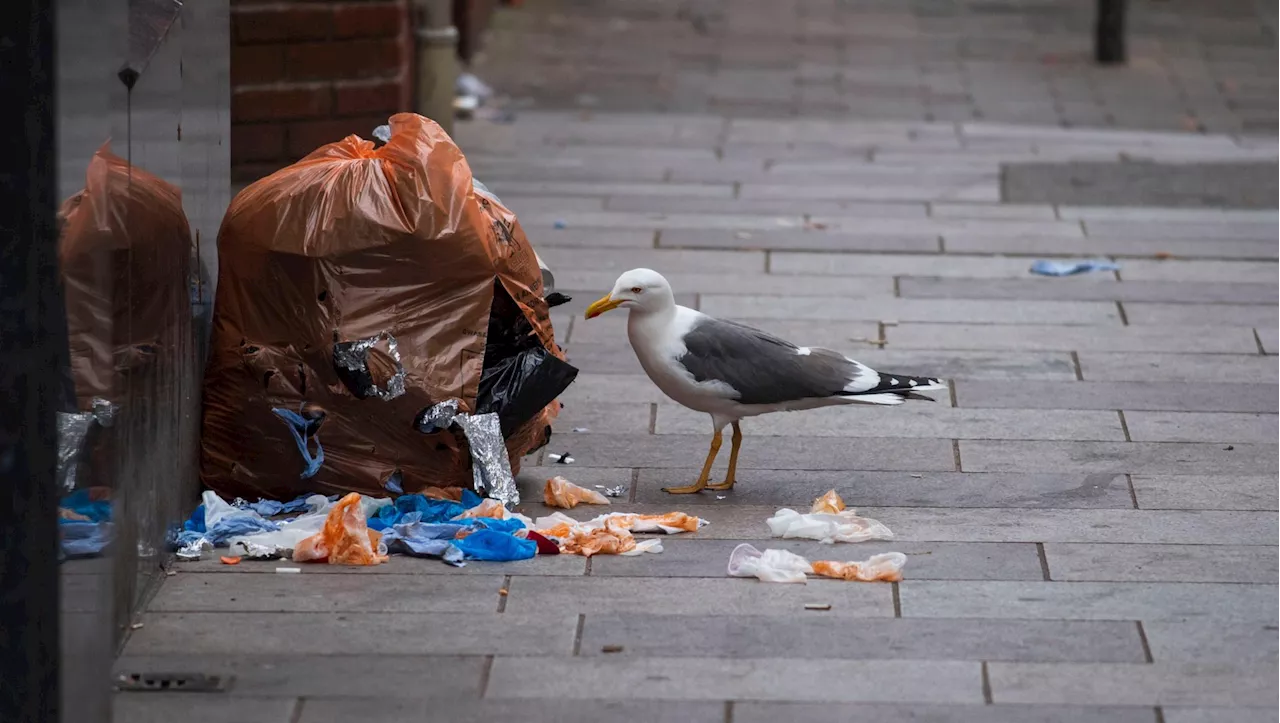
(1174,684)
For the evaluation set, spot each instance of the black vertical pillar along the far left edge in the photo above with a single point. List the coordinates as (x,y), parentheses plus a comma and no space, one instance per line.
(30,372)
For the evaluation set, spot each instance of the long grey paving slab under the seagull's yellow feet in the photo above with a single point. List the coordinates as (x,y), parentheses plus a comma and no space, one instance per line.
(796,488)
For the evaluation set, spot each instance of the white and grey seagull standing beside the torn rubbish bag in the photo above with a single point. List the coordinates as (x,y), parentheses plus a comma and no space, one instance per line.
(733,372)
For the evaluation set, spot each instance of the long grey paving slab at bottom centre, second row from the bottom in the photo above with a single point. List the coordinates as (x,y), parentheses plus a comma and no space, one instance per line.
(717,679)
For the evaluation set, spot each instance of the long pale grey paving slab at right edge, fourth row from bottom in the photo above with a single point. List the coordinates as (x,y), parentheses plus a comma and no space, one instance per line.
(1149,602)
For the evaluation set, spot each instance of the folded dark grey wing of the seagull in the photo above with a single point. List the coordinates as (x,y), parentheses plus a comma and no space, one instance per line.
(765,369)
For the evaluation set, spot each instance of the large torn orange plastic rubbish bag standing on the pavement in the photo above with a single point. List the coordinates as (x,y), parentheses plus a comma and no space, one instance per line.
(351,245)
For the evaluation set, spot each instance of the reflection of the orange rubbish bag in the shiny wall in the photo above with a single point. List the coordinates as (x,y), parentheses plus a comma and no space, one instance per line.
(125,254)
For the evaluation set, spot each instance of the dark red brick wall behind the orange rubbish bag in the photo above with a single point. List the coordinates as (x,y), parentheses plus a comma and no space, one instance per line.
(310,72)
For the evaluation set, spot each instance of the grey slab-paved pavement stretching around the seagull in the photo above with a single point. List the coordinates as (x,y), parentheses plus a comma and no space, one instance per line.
(1091,519)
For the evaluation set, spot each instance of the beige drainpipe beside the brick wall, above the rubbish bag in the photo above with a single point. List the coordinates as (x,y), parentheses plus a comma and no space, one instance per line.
(436,47)
